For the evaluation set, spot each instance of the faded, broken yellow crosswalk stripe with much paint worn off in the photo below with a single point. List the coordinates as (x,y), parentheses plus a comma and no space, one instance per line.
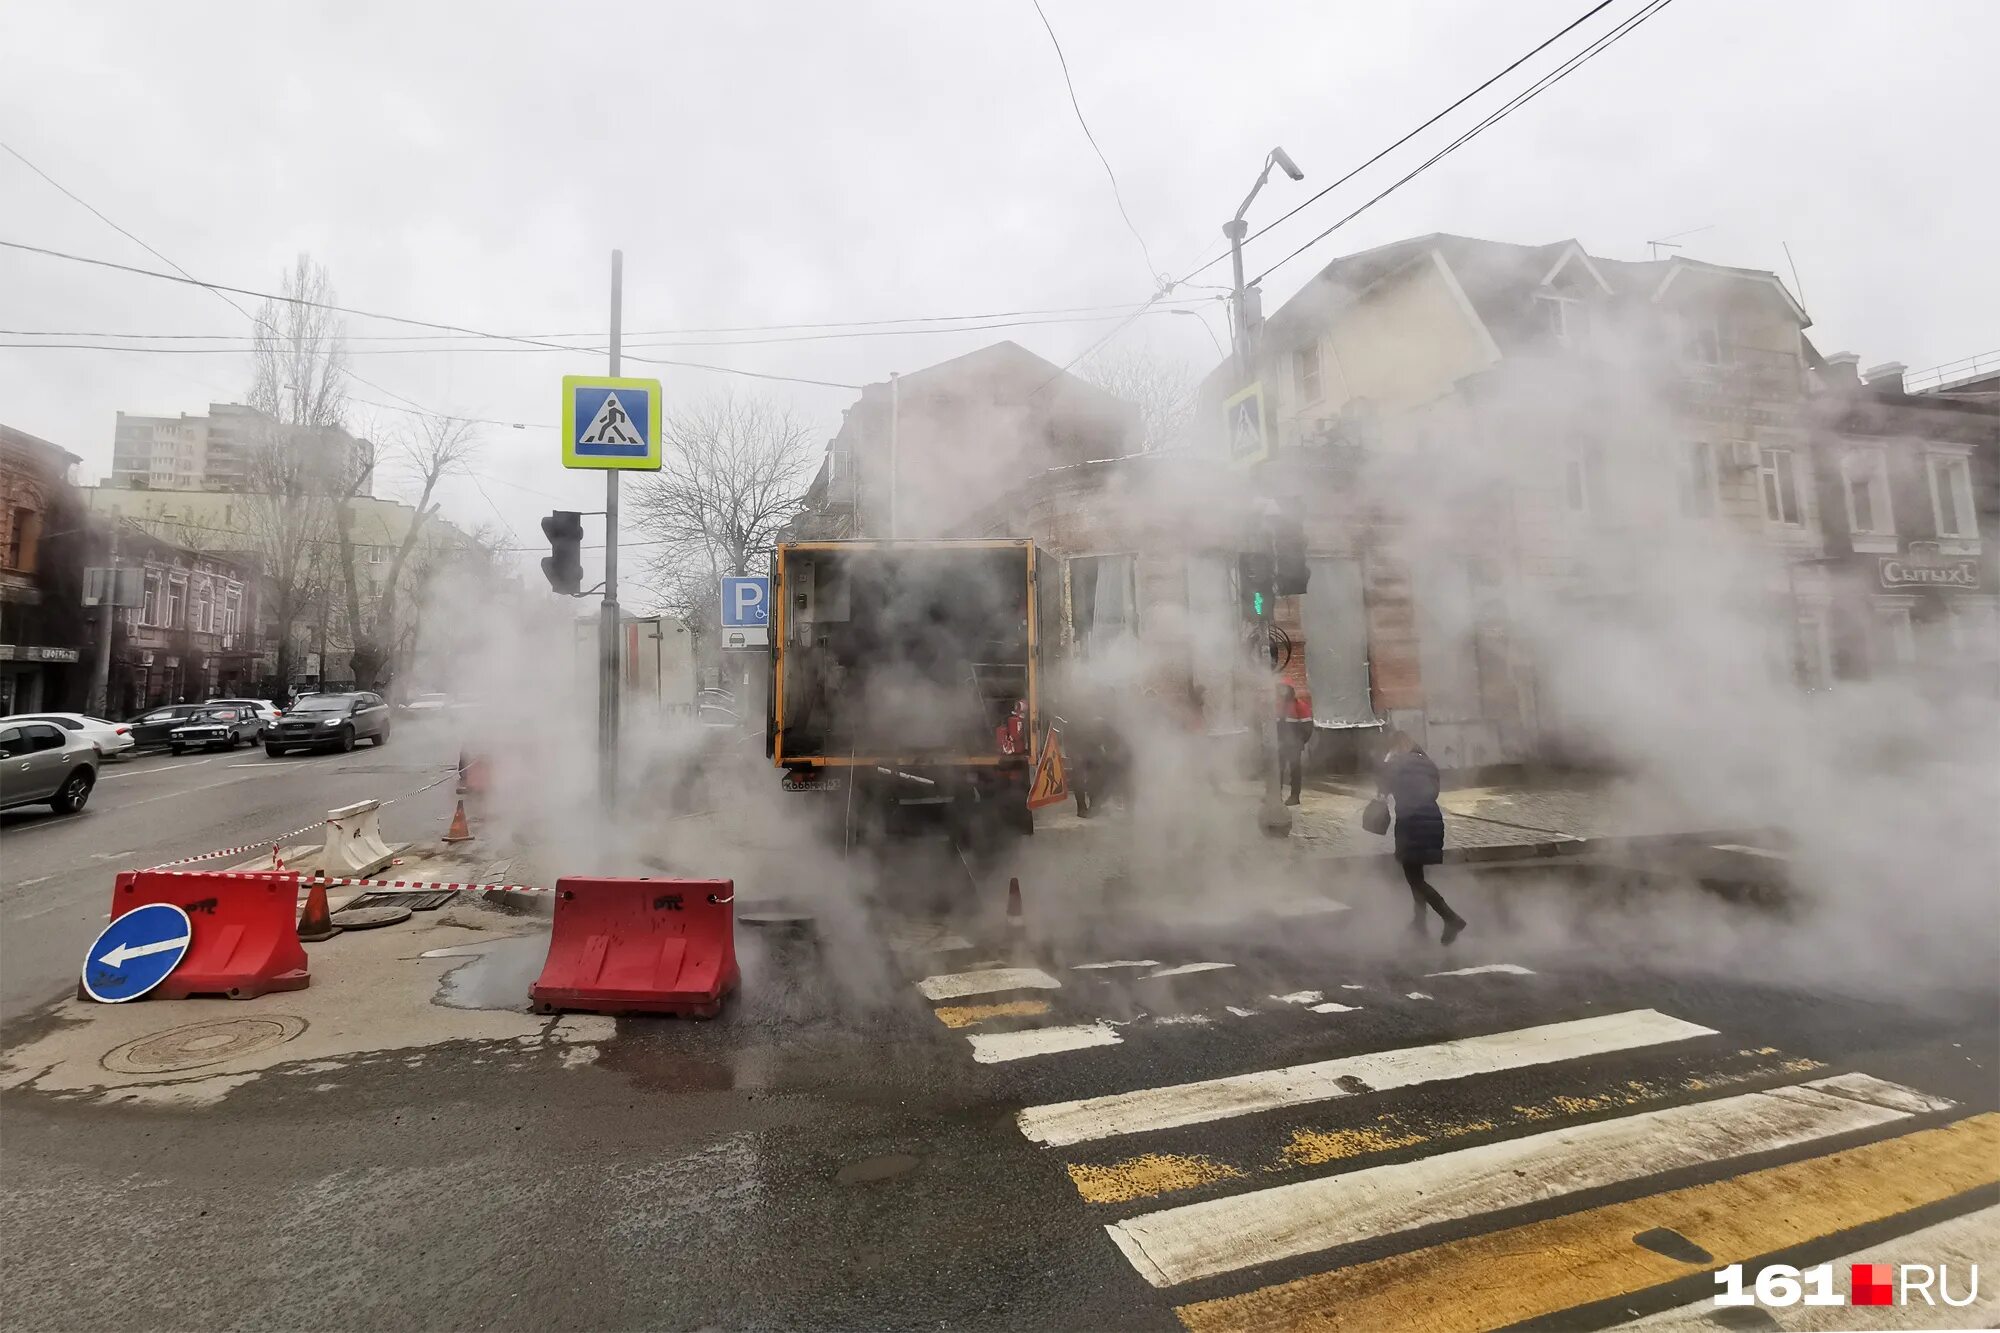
(1385,1134)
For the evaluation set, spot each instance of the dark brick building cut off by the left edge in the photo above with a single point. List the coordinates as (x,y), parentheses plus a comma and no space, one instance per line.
(41,575)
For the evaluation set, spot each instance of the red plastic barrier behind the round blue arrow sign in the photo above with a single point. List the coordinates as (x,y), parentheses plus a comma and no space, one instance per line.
(245,932)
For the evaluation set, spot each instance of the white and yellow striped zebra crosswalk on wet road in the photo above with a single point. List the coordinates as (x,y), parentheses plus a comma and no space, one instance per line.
(1463,1182)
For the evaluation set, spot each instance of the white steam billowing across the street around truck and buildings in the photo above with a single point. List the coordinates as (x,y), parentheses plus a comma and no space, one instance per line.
(1657,645)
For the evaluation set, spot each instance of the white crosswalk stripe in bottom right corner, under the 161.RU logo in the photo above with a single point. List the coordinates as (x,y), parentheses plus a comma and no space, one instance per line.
(1959,1244)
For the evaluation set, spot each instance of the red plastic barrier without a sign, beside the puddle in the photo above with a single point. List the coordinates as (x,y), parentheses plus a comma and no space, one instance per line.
(641,946)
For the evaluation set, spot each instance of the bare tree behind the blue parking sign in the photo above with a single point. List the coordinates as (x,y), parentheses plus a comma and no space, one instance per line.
(735,471)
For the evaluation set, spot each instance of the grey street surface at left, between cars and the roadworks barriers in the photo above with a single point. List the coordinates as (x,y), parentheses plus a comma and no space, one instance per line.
(57,870)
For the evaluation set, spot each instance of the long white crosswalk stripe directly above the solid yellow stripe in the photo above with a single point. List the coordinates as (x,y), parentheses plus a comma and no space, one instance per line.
(1221,1236)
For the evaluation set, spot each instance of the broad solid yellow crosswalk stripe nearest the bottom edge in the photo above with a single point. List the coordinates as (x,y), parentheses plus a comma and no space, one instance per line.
(1537,1270)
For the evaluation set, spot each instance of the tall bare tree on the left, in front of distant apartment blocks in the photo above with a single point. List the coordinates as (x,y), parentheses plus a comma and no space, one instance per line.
(299,383)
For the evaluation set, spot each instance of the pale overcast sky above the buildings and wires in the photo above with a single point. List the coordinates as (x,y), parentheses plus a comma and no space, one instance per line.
(817,163)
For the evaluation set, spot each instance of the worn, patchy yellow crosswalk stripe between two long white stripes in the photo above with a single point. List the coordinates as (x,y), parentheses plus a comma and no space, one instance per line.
(1141,1178)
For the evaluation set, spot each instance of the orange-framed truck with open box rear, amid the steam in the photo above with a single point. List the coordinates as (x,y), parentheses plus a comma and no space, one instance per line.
(907,676)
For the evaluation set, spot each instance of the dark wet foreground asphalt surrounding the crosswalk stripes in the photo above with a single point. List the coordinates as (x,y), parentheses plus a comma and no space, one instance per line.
(829,1156)
